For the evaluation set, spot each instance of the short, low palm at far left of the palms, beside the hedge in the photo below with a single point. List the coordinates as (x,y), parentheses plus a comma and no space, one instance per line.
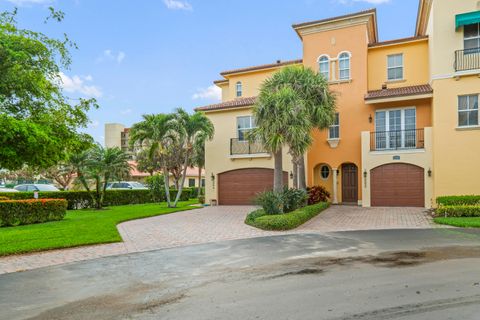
(99,166)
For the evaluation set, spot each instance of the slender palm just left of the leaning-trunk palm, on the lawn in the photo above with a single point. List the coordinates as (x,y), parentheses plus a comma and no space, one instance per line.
(156,134)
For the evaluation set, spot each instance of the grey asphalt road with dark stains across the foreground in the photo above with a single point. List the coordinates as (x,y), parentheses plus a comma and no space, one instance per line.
(391,274)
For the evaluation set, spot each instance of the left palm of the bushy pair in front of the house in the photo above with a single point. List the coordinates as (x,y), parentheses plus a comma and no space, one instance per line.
(280,118)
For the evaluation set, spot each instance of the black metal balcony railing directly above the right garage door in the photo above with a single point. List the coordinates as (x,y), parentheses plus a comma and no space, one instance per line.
(397,140)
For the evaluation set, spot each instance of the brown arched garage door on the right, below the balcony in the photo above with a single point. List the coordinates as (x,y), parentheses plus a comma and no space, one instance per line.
(397,185)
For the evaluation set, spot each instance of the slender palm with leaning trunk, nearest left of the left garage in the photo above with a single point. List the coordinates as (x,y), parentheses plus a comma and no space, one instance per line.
(190,128)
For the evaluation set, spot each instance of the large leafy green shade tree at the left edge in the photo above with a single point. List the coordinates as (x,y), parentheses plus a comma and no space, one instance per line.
(38,122)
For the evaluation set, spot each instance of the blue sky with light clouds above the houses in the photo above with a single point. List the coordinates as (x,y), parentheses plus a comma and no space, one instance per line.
(151,56)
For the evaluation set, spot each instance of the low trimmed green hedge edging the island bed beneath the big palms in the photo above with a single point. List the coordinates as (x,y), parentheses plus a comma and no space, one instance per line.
(286,221)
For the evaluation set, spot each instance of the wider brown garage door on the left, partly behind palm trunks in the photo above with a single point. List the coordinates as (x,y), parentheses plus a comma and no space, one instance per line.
(239,187)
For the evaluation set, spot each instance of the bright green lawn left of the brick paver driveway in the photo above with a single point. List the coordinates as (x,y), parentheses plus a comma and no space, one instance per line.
(80,227)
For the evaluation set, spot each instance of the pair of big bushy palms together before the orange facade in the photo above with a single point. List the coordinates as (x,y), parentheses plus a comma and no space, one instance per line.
(291,104)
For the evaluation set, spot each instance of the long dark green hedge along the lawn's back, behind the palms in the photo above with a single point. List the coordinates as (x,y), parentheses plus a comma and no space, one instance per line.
(81,199)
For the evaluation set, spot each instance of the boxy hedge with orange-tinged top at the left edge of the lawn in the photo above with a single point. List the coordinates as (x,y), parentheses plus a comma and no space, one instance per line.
(18,212)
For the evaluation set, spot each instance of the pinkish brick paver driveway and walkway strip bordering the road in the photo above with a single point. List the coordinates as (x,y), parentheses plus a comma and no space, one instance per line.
(216,224)
